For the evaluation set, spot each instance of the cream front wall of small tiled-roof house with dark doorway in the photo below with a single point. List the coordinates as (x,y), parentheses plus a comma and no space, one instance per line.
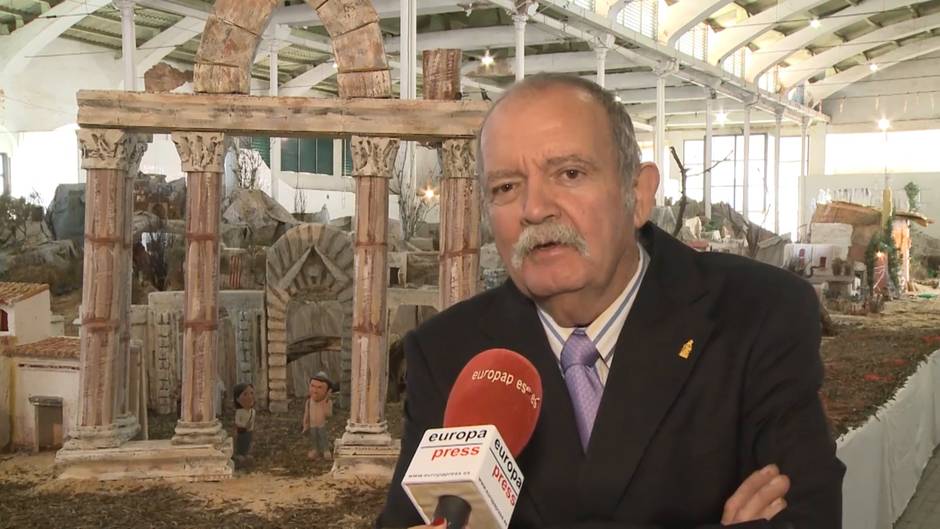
(48,378)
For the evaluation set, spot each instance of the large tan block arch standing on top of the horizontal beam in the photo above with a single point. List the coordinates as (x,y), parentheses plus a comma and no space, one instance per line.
(235,27)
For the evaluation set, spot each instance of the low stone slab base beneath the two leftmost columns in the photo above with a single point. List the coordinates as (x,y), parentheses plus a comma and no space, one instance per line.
(137,460)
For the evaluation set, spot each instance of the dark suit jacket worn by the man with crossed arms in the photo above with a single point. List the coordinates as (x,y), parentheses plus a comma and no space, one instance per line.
(673,438)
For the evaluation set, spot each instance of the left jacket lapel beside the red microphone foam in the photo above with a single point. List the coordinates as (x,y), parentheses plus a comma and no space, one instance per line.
(555,449)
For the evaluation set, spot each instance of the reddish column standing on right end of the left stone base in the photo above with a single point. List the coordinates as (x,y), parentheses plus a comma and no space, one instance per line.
(202,154)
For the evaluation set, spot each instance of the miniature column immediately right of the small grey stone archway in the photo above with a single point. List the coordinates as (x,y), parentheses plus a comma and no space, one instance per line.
(373,163)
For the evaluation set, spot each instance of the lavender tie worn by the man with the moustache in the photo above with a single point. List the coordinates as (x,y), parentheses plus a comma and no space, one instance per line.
(578,357)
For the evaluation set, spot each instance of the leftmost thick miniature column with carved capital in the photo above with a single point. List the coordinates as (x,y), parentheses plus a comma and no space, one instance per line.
(111,158)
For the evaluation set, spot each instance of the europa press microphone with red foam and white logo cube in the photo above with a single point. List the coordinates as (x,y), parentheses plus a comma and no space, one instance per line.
(466,472)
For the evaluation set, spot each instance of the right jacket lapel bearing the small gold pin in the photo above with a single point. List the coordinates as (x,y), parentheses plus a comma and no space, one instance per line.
(647,373)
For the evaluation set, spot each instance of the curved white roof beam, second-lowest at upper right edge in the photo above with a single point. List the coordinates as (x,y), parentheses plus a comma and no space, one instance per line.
(800,71)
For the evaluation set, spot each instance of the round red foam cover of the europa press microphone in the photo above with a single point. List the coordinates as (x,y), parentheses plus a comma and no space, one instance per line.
(498,387)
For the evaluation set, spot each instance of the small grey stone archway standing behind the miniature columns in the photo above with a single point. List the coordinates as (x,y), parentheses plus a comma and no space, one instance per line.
(305,258)
